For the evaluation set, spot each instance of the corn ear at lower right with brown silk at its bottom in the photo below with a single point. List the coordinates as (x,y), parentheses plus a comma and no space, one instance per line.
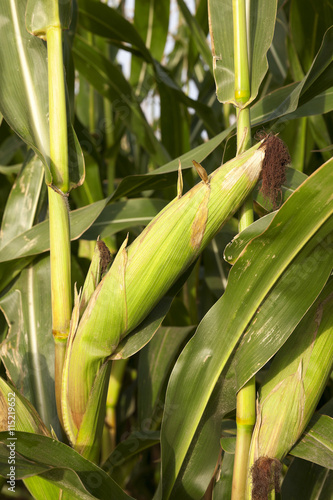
(289,396)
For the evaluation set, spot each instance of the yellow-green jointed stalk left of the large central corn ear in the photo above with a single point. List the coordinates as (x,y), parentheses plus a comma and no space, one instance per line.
(46,19)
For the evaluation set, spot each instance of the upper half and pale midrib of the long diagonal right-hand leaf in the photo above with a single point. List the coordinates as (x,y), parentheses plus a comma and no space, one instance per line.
(250,280)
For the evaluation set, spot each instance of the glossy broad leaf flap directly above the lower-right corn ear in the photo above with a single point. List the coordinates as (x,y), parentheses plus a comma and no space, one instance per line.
(313,264)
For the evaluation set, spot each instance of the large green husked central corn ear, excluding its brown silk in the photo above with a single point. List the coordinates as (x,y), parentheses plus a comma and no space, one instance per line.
(138,278)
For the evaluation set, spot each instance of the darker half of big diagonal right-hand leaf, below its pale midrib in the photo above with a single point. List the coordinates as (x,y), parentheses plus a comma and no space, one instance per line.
(257,346)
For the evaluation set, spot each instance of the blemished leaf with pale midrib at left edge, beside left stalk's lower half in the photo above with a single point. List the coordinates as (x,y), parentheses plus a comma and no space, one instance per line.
(28,350)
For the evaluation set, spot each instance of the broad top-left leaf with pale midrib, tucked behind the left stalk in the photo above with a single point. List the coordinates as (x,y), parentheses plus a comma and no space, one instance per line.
(24,103)
